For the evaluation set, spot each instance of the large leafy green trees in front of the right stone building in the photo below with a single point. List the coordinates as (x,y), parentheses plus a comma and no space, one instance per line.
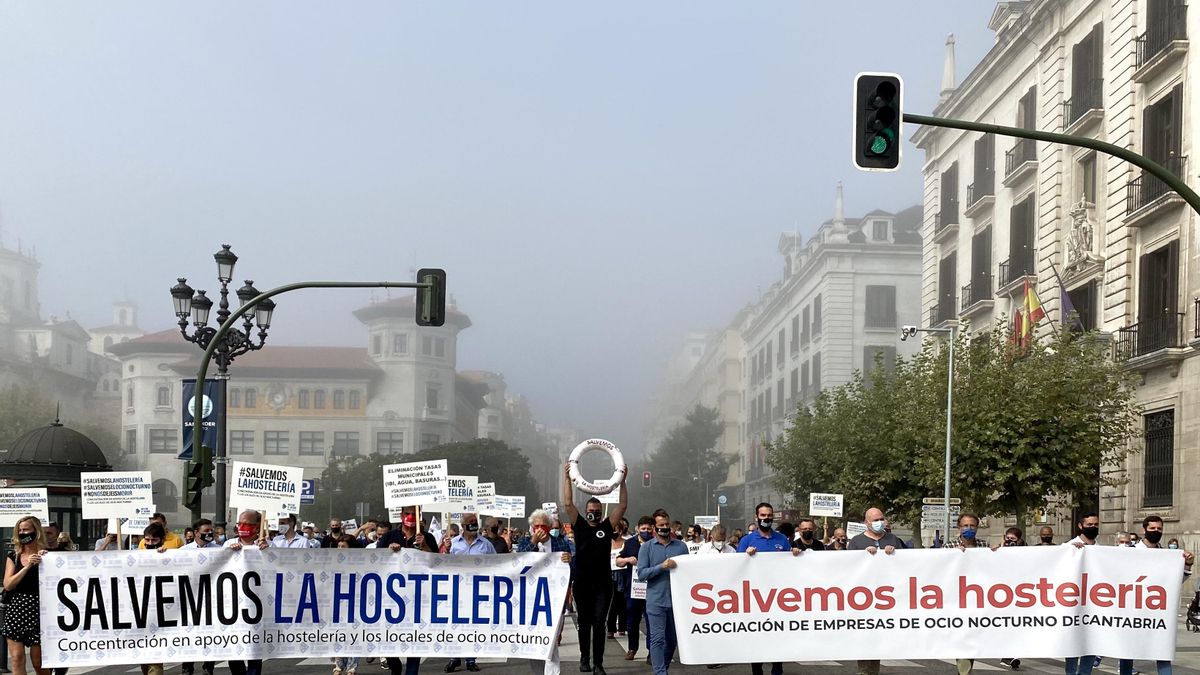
(1030,426)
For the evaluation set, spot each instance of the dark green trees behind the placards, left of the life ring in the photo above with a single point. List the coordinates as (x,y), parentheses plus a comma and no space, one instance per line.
(350,481)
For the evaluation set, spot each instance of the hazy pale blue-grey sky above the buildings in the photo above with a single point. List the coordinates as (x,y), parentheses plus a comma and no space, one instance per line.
(597,178)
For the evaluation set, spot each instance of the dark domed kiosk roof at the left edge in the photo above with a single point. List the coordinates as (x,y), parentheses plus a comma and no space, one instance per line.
(37,453)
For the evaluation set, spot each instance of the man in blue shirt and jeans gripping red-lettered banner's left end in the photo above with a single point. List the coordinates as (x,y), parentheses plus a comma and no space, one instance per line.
(653,568)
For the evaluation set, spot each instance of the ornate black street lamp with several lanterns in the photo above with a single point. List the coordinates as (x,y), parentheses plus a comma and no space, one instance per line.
(237,342)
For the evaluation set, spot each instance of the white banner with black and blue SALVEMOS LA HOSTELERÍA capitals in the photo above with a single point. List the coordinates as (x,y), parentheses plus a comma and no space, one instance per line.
(146,607)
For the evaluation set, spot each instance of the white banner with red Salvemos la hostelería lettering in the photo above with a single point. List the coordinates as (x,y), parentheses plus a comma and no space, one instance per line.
(1041,602)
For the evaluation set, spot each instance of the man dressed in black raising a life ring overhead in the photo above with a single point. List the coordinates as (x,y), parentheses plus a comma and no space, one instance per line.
(593,582)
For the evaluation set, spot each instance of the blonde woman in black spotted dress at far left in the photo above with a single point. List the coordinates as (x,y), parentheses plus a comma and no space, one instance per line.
(22,624)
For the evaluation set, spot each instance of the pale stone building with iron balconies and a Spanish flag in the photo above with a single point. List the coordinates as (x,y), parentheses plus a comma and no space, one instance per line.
(1118,240)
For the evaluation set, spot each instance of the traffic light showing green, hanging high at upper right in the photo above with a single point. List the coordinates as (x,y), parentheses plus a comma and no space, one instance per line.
(878,117)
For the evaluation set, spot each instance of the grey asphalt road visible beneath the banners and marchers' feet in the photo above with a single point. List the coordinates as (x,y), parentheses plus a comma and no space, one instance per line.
(1187,662)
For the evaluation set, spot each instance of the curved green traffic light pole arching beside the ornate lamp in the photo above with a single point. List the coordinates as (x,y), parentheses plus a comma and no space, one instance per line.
(221,459)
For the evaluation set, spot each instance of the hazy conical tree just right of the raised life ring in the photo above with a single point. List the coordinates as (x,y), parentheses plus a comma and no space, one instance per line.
(686,468)
